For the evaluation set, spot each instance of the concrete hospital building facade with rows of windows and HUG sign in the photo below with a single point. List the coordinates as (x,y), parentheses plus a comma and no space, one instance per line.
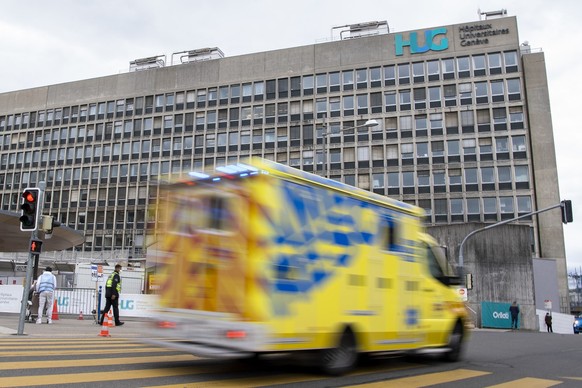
(464,131)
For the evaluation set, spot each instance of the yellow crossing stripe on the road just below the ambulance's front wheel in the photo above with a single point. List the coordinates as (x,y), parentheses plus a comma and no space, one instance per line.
(427,380)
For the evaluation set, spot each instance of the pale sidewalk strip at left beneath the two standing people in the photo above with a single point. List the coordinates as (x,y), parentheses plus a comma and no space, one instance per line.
(68,327)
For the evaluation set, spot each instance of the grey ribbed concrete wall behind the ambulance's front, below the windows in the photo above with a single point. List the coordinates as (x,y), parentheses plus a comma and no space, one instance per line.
(500,260)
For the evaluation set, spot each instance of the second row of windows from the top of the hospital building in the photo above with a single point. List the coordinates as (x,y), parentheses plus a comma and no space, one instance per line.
(347,105)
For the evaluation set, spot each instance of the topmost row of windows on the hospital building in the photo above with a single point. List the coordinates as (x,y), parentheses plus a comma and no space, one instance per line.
(406,73)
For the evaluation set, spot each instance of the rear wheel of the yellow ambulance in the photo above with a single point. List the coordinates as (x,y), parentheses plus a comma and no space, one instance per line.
(341,359)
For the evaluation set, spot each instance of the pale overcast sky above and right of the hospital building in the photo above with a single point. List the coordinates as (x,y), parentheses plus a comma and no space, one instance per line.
(49,42)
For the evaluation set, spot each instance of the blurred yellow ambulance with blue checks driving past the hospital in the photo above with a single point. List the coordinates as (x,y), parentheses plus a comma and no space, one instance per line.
(262,258)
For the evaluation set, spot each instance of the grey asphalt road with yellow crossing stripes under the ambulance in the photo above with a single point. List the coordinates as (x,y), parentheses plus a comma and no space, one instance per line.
(84,359)
